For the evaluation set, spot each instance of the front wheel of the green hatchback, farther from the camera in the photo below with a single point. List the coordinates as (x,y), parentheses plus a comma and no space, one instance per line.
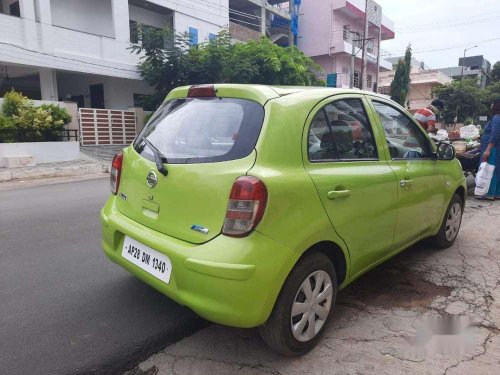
(450,226)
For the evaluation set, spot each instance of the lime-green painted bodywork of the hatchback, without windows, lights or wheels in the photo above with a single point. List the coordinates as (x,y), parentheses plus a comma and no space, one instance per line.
(236,281)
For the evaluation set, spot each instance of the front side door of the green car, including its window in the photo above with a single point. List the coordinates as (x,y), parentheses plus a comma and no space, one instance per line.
(420,178)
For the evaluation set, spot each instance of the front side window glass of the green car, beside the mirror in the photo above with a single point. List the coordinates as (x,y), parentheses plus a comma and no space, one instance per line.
(404,137)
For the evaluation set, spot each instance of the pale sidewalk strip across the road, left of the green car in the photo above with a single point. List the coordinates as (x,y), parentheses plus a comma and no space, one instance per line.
(79,167)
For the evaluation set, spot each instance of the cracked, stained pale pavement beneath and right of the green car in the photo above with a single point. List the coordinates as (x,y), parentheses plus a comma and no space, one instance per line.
(381,318)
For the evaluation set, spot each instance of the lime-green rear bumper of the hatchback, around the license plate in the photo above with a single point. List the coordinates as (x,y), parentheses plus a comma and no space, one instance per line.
(230,281)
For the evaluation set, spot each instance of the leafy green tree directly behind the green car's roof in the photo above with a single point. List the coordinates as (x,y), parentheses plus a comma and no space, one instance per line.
(168,60)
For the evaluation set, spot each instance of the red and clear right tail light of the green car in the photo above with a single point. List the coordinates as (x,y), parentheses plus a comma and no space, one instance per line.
(247,204)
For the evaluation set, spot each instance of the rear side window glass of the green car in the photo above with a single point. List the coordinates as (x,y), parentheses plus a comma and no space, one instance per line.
(341,131)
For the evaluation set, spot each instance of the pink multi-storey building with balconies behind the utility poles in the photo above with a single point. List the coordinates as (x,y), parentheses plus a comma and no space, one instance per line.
(327,29)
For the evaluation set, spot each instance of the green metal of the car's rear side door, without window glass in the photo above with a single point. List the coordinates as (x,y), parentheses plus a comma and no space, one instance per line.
(366,219)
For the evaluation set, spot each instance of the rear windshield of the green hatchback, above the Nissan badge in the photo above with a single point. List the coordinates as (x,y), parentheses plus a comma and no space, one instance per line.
(203,130)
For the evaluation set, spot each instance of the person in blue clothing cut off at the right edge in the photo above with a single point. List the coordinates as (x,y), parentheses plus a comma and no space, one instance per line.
(490,150)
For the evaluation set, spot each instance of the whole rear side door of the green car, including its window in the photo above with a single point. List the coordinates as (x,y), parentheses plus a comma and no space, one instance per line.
(356,186)
